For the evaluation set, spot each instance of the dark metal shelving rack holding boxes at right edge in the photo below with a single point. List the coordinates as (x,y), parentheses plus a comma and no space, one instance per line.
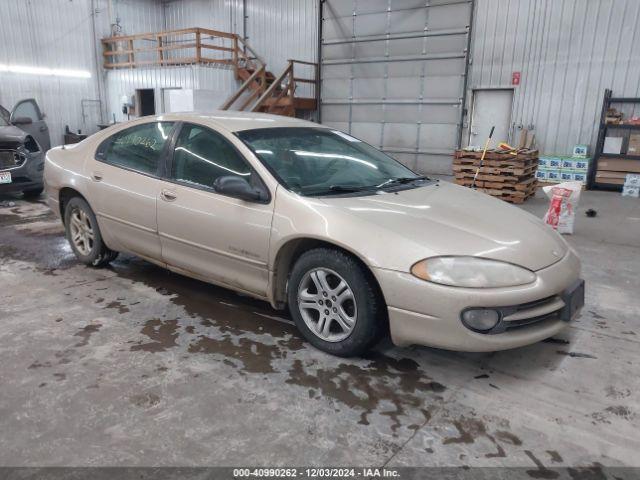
(634,160)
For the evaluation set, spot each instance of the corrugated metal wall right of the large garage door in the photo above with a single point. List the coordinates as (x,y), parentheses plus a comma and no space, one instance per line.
(568,52)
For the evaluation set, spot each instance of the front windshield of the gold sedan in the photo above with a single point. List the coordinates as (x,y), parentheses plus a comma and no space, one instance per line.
(318,161)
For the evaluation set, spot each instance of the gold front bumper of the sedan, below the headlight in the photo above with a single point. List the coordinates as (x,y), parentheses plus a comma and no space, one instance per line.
(424,313)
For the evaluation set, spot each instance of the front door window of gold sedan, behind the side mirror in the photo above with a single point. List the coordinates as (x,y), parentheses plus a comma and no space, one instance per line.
(201,156)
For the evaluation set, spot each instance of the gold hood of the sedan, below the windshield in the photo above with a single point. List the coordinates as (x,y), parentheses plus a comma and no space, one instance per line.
(446,219)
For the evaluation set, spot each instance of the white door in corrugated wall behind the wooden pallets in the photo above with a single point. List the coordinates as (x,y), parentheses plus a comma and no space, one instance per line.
(491,108)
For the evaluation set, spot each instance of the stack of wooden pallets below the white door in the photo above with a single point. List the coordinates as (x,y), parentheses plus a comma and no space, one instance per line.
(509,176)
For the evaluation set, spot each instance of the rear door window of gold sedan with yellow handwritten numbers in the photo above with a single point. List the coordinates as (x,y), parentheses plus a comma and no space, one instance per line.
(137,148)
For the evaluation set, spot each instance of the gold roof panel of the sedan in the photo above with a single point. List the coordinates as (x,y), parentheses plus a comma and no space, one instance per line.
(234,121)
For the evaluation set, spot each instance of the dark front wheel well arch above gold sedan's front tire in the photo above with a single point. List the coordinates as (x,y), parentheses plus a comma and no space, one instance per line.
(292,250)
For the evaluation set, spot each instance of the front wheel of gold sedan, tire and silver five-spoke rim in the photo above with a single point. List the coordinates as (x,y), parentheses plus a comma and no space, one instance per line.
(356,316)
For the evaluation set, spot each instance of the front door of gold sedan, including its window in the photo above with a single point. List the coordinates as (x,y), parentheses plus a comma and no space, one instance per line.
(220,238)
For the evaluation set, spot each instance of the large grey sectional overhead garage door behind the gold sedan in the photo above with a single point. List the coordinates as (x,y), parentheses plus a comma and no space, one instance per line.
(394,75)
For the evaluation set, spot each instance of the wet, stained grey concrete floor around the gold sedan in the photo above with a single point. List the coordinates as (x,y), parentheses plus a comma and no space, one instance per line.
(134,365)
